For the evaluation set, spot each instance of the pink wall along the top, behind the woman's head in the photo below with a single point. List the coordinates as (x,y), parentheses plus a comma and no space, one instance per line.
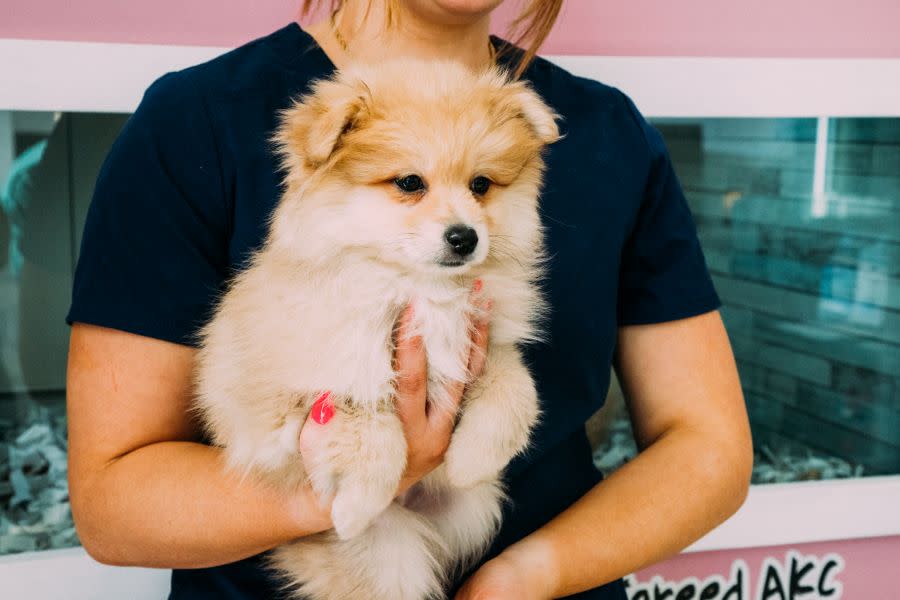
(797,28)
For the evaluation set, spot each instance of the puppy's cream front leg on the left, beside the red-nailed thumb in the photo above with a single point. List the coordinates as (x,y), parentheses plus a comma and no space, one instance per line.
(360,465)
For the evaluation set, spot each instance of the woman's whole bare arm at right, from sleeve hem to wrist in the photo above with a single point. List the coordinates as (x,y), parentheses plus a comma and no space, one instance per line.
(688,412)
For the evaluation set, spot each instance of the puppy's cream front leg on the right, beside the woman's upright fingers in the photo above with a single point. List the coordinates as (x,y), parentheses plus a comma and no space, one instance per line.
(498,413)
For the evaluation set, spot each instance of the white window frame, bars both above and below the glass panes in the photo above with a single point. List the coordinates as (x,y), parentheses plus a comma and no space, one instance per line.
(100,77)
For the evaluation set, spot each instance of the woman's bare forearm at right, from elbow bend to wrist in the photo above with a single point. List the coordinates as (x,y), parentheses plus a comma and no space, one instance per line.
(671,494)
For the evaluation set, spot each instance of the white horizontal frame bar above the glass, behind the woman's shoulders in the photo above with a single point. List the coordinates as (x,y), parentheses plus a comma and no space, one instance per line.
(101,77)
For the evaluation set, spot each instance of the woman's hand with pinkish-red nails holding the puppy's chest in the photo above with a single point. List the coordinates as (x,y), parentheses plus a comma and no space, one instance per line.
(427,429)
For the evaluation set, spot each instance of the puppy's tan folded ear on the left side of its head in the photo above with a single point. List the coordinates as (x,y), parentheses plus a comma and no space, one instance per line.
(311,130)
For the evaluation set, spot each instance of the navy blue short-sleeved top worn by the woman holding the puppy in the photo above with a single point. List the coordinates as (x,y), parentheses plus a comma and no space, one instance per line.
(184,197)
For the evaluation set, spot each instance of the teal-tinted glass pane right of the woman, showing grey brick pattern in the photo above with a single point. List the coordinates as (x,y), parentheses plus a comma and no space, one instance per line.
(800,223)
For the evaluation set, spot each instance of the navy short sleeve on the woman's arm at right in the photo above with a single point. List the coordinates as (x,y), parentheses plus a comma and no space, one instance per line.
(663,274)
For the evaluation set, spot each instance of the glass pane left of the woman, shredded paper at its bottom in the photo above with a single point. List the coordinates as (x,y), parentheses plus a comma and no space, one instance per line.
(48,164)
